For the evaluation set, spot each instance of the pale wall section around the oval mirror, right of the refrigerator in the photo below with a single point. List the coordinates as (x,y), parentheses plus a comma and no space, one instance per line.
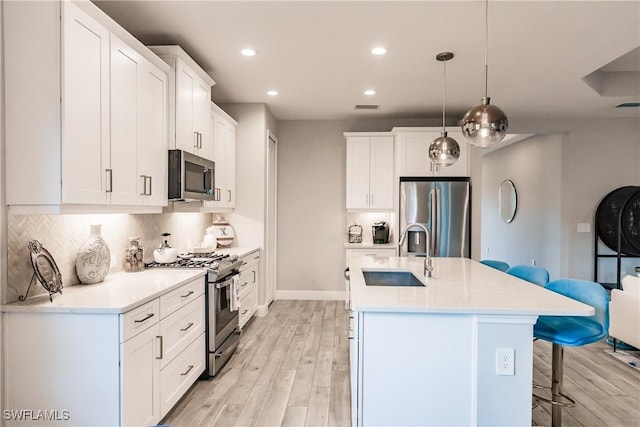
(534,166)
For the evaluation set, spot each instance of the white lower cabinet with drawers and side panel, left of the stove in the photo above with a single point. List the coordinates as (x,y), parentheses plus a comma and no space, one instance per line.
(97,369)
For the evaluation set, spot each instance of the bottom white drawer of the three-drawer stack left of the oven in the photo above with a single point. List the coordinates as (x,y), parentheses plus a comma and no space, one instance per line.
(184,370)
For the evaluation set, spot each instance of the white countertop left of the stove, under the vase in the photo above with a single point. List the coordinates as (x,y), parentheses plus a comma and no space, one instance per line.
(119,293)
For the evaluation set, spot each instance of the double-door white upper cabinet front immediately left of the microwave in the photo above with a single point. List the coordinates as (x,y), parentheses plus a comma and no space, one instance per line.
(138,128)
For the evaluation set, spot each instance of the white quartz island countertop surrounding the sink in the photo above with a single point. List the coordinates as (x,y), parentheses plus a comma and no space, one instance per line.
(457,285)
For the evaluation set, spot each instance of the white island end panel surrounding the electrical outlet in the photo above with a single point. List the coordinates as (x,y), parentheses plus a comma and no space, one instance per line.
(504,400)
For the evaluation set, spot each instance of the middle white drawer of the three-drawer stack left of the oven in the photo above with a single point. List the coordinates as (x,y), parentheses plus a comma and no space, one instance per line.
(180,328)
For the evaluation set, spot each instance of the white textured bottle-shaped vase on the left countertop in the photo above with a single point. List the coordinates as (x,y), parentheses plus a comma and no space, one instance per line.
(94,259)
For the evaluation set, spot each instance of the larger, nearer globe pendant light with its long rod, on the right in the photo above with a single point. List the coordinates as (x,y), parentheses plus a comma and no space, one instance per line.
(485,125)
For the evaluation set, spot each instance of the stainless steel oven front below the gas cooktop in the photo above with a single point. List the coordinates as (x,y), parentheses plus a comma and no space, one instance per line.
(223,322)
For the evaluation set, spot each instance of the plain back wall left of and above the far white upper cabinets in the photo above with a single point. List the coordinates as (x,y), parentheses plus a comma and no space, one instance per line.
(312,221)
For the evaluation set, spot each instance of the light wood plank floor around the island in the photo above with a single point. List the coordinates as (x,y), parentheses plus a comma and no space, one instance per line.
(292,369)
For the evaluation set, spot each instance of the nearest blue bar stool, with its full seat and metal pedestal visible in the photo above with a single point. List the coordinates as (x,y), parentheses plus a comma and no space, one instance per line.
(572,331)
